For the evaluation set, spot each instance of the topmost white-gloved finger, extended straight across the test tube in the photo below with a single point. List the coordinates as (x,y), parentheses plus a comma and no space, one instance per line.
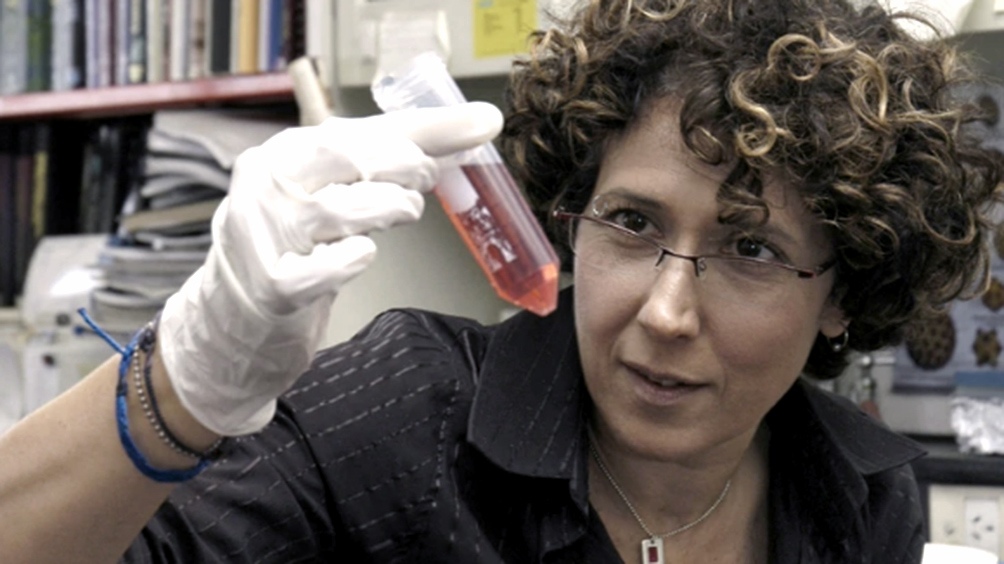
(445,131)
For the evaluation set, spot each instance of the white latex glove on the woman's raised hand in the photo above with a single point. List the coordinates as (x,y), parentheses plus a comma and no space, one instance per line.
(293,231)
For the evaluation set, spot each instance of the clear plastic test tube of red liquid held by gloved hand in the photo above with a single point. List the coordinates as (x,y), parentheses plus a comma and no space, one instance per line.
(480,196)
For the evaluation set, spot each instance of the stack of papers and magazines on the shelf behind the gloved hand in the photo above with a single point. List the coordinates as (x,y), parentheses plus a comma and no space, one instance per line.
(164,231)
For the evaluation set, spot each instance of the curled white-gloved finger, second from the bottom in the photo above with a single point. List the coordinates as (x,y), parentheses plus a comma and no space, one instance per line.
(338,211)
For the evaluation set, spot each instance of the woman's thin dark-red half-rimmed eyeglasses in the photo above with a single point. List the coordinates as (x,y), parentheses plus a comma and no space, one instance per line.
(734,278)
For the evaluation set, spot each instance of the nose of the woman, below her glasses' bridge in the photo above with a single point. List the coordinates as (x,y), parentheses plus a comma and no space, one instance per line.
(671,310)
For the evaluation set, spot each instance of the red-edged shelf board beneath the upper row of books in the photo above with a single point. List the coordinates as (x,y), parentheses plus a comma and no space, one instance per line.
(147,98)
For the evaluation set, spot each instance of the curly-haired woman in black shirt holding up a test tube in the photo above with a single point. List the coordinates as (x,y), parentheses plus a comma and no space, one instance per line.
(749,190)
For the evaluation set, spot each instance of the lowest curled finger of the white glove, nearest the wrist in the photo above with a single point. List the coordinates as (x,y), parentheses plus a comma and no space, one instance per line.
(305,278)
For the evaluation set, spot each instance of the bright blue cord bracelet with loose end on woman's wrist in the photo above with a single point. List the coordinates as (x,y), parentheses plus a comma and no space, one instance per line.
(122,415)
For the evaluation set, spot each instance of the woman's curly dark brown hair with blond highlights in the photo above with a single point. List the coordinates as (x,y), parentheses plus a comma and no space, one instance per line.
(861,115)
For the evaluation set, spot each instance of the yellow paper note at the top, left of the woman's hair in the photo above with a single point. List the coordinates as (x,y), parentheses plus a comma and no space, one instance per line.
(503,27)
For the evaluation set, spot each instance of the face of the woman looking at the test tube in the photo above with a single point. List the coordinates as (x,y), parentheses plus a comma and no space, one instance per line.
(680,368)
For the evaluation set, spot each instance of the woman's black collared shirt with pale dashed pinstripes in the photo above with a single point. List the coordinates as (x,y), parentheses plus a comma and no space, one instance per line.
(433,439)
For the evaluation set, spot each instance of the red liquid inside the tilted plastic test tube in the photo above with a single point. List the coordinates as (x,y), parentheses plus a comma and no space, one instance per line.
(521,273)
